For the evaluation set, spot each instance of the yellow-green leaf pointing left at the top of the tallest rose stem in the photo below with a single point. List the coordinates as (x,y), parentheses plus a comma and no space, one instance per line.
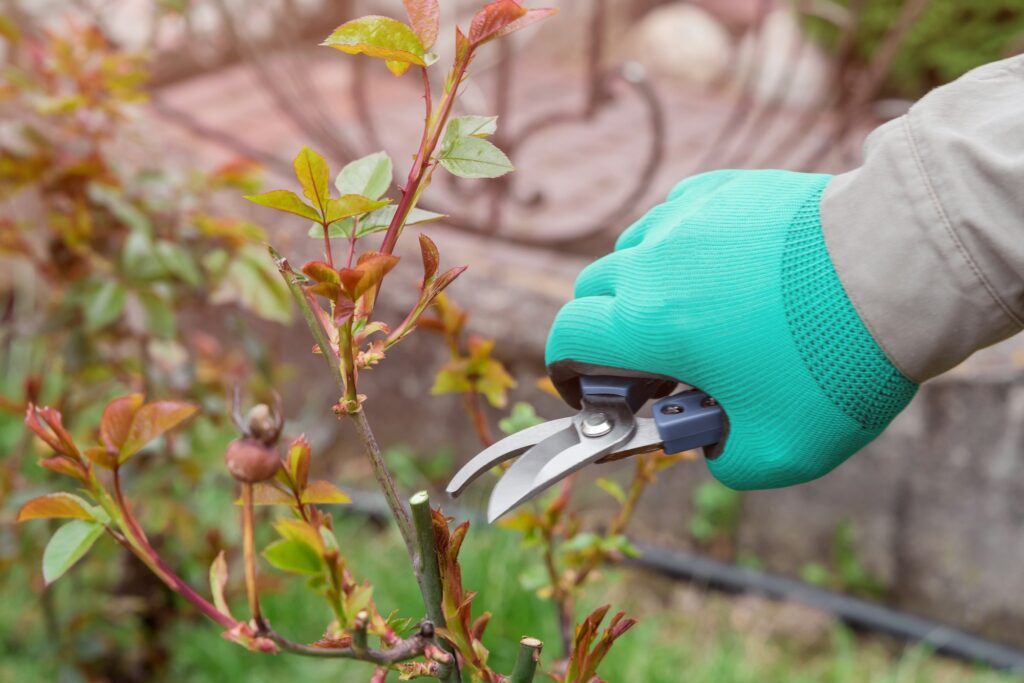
(379,37)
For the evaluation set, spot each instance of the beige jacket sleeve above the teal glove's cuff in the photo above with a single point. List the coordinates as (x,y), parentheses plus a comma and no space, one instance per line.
(928,235)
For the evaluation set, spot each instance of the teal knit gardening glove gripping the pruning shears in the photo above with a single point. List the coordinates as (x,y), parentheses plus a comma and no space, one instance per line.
(729,287)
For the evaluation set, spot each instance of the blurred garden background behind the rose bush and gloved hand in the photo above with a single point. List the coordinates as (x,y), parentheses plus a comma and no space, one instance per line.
(183,106)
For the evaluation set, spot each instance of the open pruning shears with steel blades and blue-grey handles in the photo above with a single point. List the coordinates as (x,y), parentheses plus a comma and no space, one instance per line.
(607,429)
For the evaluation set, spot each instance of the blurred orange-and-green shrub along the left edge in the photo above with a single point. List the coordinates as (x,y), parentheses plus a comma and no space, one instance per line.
(108,262)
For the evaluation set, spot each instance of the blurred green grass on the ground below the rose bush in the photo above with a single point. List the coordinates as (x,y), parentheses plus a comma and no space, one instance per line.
(705,642)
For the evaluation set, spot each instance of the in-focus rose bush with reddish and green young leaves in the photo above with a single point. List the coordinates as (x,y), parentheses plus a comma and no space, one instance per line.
(337,300)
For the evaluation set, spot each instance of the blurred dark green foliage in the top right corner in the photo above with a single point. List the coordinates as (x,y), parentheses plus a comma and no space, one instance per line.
(949,39)
